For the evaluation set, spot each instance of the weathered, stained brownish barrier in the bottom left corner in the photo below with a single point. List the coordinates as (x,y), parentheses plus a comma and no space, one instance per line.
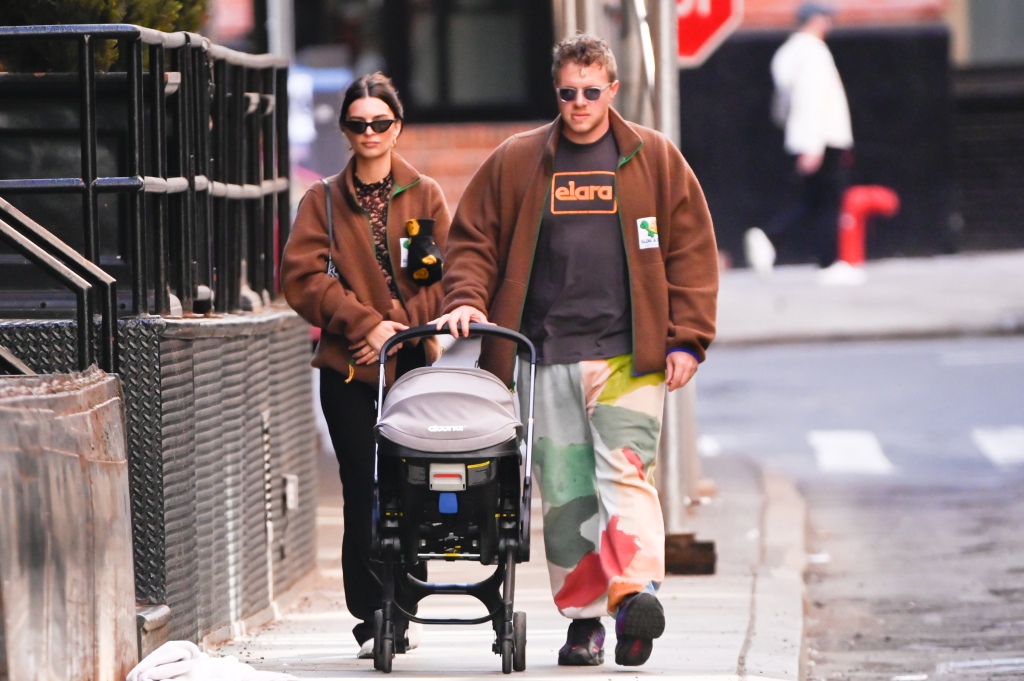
(67,586)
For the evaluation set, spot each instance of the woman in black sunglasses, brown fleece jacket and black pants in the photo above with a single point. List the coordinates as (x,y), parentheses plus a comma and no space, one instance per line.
(369,300)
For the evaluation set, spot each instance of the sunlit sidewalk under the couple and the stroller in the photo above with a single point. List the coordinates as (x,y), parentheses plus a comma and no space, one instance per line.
(744,622)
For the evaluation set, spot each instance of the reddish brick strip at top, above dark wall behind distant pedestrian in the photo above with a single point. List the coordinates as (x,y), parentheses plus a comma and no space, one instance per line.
(781,14)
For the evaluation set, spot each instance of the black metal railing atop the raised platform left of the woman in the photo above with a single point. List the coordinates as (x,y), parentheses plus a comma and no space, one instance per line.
(199,159)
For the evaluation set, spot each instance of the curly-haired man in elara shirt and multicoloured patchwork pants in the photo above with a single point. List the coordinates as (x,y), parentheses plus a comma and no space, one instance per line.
(591,235)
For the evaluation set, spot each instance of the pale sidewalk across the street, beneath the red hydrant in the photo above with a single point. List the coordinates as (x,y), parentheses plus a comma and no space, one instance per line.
(975,294)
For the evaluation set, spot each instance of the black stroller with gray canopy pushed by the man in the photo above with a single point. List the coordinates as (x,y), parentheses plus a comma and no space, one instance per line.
(448,486)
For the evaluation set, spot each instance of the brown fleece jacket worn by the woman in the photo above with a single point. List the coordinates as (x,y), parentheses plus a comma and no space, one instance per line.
(349,308)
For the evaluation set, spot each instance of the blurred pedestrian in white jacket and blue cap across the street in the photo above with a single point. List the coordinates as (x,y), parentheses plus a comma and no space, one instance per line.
(810,105)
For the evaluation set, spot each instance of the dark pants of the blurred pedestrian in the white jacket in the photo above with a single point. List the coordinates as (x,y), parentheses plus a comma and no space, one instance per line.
(810,226)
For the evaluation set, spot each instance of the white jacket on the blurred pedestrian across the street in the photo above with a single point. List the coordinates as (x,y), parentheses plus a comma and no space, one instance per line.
(810,99)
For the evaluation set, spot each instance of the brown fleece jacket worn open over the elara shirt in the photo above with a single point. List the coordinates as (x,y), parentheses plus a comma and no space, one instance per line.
(673,287)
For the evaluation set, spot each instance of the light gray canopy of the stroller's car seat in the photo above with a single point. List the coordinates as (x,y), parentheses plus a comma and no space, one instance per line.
(449,409)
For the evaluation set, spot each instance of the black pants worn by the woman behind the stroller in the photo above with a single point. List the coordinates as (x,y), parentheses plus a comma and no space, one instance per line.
(351,411)
